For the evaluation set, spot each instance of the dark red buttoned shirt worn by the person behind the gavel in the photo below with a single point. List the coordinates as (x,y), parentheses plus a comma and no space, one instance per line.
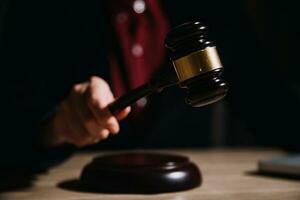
(140,27)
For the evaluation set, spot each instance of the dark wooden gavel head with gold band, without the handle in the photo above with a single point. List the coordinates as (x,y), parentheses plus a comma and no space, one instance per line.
(196,63)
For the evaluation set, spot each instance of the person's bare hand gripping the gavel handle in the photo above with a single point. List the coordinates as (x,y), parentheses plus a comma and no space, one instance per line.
(83,118)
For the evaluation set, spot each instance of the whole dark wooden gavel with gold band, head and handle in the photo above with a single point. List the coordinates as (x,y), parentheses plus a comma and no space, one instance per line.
(197,66)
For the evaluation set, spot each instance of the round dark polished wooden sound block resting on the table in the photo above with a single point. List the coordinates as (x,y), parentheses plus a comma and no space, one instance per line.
(140,173)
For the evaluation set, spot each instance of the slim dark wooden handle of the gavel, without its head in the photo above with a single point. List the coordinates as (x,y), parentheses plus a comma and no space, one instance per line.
(142,91)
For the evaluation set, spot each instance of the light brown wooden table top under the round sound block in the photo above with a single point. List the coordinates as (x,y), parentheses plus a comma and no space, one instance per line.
(227,174)
